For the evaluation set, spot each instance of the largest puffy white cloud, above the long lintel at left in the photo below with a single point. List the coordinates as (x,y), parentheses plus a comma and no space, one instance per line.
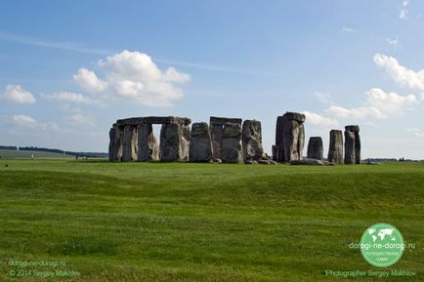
(133,76)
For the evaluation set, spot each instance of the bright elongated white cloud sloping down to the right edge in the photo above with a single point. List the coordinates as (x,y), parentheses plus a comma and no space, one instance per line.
(402,75)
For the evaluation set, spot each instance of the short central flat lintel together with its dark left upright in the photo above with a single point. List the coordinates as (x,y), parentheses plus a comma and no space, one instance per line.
(216,131)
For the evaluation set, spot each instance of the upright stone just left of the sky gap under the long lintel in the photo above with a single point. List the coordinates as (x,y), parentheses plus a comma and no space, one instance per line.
(148,149)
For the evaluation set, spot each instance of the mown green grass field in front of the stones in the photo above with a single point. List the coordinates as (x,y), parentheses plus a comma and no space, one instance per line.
(202,222)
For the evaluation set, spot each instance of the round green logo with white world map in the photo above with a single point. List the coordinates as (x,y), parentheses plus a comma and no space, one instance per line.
(382,245)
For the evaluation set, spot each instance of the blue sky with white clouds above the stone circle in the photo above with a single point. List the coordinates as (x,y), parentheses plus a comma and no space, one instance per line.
(69,69)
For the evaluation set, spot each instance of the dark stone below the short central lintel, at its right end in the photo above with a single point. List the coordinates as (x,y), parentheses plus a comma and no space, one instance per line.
(231,144)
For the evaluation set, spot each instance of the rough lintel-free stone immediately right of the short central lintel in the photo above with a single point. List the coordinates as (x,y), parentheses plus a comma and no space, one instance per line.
(252,139)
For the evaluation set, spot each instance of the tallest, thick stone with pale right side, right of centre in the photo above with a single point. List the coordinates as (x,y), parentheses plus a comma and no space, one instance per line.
(289,137)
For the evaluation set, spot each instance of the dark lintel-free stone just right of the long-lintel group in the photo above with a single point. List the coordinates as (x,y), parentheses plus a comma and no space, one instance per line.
(200,143)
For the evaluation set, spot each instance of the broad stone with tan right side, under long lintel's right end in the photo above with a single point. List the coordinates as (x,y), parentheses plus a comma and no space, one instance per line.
(174,142)
